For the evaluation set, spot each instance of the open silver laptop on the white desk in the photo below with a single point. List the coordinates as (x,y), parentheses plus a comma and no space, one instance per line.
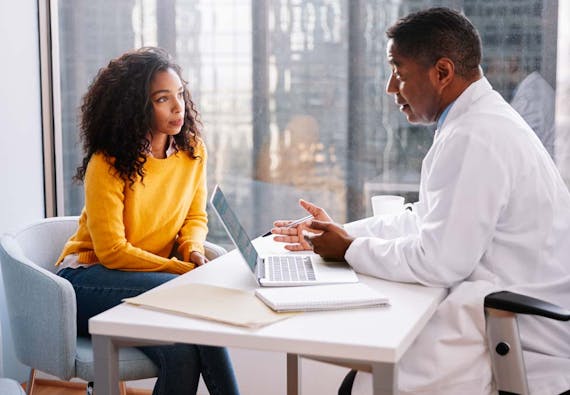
(285,270)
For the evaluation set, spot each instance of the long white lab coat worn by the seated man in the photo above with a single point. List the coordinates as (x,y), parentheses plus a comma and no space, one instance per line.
(493,214)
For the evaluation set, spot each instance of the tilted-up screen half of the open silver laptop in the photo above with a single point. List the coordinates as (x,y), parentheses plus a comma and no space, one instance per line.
(233,227)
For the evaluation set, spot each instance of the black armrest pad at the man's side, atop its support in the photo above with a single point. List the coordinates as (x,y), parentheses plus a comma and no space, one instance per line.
(522,304)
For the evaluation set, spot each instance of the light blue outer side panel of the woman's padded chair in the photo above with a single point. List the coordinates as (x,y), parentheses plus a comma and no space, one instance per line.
(37,298)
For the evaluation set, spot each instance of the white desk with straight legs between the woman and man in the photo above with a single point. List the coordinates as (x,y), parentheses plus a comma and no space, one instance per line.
(377,337)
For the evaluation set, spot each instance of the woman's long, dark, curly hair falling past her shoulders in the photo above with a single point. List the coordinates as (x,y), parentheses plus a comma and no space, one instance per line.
(116,113)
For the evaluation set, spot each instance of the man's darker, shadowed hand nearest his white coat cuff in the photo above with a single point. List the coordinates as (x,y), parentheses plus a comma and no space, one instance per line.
(332,242)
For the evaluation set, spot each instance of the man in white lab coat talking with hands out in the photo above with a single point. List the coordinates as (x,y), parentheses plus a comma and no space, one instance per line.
(493,213)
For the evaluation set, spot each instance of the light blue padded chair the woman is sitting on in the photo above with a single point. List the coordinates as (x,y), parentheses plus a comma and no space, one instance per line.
(42,307)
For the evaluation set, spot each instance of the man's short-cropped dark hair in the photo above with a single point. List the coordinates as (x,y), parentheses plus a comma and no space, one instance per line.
(431,34)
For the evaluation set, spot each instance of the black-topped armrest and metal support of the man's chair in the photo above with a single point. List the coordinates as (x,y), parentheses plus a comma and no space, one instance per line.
(503,336)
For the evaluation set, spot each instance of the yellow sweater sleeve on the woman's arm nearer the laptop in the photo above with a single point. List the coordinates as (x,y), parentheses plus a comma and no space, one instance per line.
(195,228)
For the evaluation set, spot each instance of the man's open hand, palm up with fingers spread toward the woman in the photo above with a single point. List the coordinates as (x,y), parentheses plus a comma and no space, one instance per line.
(295,236)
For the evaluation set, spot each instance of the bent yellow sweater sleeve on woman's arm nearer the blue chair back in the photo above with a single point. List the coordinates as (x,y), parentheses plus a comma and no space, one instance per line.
(104,204)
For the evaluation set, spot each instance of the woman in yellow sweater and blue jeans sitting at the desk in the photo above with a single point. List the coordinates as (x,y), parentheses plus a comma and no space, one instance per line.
(144,174)
